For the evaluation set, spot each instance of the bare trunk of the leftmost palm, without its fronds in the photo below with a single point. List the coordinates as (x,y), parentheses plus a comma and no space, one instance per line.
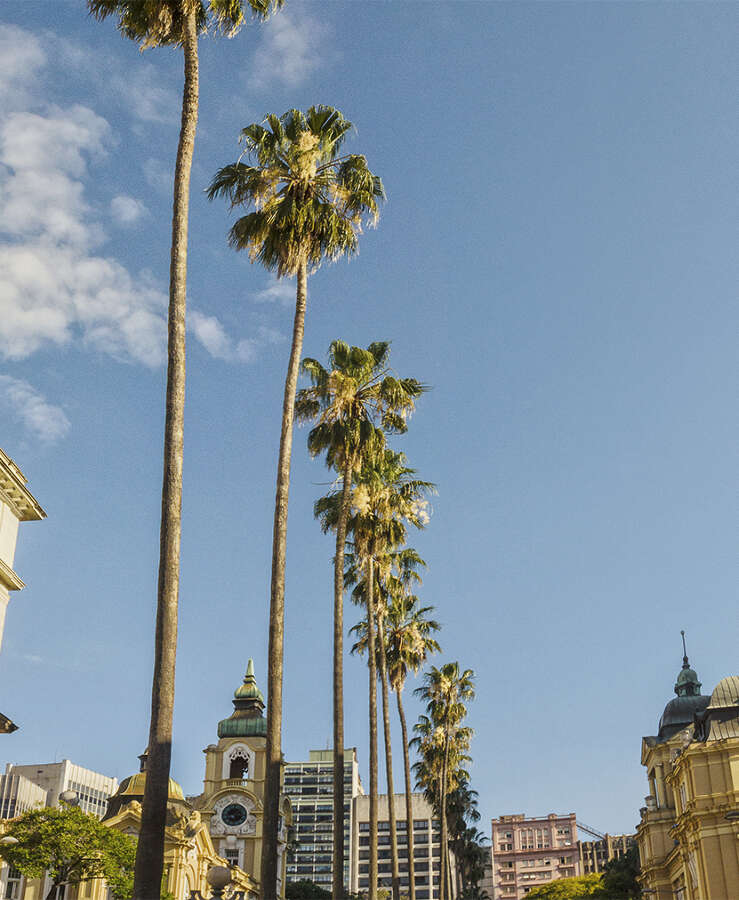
(150,847)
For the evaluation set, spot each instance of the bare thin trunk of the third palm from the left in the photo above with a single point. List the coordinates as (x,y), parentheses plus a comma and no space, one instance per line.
(338,862)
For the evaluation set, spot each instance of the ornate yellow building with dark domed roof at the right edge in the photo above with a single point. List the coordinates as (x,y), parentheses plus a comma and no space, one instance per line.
(689,831)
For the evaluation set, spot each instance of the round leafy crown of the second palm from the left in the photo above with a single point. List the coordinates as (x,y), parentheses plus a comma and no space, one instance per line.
(309,203)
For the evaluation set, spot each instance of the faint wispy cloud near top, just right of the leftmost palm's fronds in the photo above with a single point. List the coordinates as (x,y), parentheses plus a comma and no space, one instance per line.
(291,48)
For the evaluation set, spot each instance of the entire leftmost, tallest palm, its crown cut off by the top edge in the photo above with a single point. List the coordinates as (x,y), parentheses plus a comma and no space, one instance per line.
(158,23)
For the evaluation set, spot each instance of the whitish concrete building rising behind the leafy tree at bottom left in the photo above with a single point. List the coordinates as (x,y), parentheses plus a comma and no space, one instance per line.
(92,788)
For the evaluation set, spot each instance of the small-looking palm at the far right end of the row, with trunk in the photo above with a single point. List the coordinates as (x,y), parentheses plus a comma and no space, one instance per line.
(446,690)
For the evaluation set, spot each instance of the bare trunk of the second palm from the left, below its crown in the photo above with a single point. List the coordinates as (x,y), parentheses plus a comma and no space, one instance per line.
(277,602)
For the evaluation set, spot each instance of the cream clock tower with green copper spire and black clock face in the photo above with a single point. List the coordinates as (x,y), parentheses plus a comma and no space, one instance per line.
(233,788)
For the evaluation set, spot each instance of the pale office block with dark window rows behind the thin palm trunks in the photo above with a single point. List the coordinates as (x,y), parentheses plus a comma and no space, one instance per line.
(426,846)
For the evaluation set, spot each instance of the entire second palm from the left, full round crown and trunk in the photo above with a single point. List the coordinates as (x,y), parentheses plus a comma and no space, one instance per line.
(308,204)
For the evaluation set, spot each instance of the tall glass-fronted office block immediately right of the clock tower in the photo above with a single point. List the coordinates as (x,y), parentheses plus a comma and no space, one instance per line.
(309,785)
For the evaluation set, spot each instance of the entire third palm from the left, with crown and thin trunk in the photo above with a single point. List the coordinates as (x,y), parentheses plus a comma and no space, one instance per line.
(355,402)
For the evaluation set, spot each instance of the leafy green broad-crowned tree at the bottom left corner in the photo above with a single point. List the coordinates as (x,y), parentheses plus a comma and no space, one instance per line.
(71,846)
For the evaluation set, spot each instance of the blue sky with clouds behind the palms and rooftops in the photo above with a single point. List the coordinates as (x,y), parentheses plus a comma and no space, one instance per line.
(557,258)
